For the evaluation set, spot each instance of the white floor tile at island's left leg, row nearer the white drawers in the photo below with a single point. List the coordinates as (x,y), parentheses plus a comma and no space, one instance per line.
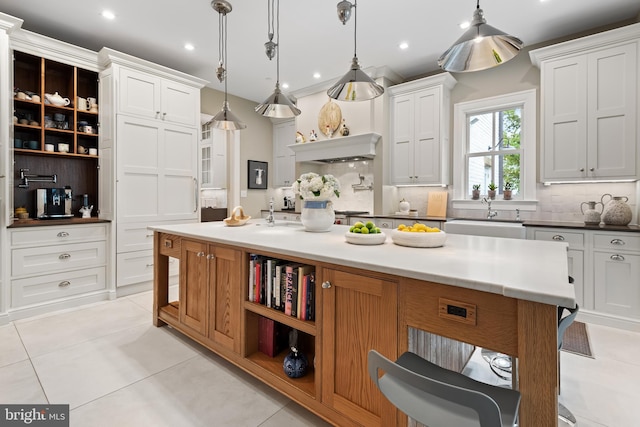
(51,333)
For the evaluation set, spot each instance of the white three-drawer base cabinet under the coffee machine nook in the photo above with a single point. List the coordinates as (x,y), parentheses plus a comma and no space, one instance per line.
(50,264)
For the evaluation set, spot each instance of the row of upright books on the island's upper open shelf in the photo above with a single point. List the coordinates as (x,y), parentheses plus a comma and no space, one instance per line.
(282,285)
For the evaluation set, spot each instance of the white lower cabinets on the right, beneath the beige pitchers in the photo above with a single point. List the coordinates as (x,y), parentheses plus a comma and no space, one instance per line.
(605,267)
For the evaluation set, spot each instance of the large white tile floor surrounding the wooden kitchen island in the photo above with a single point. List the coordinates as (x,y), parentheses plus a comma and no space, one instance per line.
(115,368)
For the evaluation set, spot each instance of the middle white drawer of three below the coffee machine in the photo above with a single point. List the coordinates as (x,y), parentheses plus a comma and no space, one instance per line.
(50,259)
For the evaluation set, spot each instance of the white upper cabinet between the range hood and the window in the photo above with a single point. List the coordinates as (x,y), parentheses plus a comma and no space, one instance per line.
(420,131)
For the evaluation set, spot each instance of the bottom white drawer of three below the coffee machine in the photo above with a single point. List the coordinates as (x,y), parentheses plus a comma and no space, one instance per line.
(35,290)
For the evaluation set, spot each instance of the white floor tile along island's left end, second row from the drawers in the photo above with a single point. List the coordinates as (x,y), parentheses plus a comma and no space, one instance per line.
(91,369)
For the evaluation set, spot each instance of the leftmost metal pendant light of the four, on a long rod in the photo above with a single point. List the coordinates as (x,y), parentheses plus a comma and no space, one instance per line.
(225,119)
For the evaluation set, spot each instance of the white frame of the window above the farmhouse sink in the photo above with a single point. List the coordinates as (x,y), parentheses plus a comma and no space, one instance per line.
(528,148)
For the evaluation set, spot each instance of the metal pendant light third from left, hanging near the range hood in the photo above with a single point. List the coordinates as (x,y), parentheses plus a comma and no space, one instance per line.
(356,85)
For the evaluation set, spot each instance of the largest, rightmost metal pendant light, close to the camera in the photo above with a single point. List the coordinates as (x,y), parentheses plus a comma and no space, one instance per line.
(480,47)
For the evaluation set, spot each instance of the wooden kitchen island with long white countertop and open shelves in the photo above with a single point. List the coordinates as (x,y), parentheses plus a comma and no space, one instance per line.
(495,293)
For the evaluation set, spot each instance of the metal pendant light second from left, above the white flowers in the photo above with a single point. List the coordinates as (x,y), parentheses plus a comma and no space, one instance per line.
(277,105)
